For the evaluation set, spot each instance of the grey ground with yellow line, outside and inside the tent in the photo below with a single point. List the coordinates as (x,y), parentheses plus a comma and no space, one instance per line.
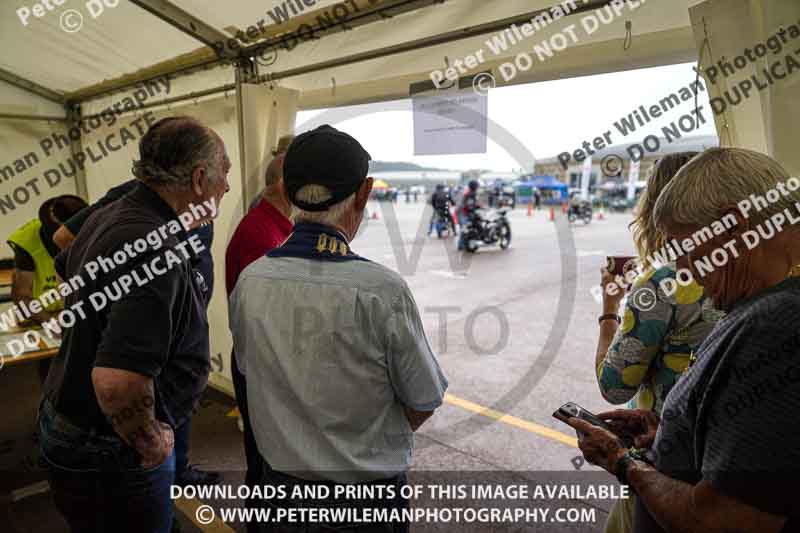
(529,305)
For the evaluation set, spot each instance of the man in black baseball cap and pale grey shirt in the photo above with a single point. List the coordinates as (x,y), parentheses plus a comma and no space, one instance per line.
(339,371)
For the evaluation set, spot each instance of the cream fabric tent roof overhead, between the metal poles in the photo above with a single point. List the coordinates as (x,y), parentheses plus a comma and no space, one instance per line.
(126,41)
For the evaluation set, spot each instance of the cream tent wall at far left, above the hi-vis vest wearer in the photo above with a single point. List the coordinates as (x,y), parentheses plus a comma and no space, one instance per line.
(23,161)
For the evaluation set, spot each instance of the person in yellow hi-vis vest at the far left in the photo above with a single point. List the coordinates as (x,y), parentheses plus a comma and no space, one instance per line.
(34,251)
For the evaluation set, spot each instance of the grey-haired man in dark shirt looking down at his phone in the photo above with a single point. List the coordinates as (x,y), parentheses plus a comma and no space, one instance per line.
(725,455)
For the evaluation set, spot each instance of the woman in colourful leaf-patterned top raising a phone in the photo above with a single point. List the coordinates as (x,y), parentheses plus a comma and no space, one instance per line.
(641,354)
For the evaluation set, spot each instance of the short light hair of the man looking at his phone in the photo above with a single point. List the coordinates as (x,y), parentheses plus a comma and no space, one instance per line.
(717,180)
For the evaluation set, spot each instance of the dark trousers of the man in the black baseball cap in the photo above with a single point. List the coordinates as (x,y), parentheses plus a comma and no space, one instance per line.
(278,479)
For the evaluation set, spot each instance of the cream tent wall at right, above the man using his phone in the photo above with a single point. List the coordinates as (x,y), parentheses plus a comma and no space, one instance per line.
(767,121)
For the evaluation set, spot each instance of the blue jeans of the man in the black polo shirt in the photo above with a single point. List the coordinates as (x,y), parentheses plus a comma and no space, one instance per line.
(98,483)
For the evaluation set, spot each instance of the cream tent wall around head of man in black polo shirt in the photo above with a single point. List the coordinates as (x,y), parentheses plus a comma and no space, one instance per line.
(220,115)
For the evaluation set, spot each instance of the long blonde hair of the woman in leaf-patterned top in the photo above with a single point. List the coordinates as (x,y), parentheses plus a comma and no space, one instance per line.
(646,236)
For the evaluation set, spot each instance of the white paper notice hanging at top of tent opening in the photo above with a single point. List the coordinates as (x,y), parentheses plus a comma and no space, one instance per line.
(450,123)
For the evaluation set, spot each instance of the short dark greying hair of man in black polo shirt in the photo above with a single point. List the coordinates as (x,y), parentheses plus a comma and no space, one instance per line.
(172,148)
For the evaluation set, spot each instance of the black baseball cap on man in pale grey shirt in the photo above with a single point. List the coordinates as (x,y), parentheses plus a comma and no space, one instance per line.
(328,157)
